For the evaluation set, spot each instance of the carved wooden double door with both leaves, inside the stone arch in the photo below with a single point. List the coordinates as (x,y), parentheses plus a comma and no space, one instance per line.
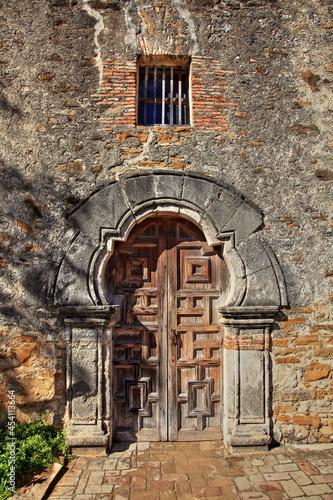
(167,363)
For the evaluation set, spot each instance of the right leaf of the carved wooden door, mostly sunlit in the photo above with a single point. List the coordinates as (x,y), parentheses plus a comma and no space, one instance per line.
(198,374)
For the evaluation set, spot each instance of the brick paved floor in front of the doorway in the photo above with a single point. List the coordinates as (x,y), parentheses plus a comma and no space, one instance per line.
(202,471)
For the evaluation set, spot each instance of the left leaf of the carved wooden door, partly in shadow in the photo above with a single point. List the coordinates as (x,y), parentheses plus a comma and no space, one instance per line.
(136,381)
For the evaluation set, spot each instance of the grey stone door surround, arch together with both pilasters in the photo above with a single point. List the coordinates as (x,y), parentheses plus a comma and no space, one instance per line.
(257,292)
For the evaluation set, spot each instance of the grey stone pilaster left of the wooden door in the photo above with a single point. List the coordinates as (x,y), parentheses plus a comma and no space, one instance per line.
(88,341)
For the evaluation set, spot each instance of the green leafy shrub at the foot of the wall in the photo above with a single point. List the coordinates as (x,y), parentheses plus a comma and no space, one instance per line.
(37,446)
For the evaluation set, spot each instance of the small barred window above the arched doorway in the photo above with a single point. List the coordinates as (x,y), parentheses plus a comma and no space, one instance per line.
(163,92)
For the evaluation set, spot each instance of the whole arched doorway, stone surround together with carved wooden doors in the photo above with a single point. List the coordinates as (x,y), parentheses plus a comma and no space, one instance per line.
(174,396)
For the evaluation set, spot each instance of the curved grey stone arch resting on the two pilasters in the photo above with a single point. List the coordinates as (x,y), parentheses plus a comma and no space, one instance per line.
(223,216)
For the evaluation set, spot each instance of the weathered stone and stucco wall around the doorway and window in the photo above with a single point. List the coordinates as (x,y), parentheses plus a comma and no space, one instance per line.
(68,129)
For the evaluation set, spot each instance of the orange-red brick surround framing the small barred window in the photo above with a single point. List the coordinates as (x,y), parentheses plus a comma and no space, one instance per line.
(206,95)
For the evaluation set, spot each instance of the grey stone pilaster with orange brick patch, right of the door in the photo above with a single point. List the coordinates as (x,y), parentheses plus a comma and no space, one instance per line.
(247,375)
